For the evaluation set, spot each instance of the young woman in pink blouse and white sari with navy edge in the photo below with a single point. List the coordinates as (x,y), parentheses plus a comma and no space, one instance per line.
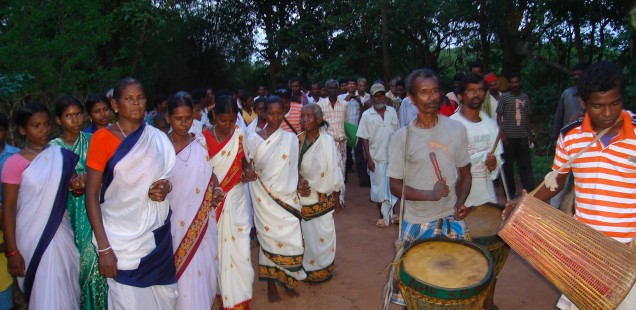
(41,248)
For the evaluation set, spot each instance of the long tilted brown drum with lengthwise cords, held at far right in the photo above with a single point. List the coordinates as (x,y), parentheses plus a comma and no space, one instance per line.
(594,271)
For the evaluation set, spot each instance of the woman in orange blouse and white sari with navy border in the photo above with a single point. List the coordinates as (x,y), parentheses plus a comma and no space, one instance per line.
(129,164)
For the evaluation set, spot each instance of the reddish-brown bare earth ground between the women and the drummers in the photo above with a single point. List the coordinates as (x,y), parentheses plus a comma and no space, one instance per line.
(364,251)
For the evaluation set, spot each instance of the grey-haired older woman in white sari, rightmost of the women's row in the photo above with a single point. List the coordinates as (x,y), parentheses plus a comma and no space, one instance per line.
(320,181)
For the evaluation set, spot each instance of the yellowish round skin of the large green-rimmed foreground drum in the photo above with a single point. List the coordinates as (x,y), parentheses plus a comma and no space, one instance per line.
(447,264)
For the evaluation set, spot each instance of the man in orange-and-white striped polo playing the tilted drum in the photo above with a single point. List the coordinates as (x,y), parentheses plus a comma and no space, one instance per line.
(604,174)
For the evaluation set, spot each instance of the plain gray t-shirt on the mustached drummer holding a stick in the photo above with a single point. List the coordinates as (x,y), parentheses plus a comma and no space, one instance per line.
(448,140)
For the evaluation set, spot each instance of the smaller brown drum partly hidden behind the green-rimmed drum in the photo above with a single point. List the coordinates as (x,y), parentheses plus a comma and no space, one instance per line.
(482,224)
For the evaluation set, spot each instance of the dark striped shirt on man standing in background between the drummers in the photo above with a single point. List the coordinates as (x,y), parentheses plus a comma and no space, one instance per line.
(515,110)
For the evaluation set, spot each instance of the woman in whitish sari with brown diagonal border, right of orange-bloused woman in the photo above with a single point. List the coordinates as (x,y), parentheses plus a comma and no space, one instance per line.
(193,198)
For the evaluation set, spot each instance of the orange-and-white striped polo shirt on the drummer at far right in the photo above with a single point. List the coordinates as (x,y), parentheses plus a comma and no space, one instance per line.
(604,177)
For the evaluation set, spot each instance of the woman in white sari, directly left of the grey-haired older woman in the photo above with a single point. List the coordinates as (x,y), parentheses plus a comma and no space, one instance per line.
(276,204)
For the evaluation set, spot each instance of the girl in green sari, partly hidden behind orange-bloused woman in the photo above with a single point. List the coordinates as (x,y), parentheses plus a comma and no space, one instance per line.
(69,114)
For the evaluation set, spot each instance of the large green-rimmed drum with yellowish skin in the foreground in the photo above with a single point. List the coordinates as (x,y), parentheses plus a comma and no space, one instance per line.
(442,273)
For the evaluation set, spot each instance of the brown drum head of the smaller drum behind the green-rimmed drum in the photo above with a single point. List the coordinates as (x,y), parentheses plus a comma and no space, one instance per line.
(484,221)
